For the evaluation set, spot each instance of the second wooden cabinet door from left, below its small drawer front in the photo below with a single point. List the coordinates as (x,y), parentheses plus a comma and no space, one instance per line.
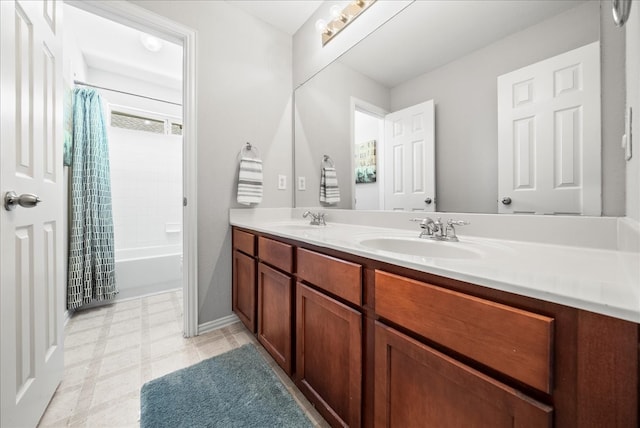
(275,300)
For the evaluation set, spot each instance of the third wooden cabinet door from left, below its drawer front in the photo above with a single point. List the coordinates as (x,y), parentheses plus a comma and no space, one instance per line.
(329,356)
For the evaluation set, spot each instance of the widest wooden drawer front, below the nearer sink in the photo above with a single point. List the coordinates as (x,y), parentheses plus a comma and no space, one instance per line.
(512,341)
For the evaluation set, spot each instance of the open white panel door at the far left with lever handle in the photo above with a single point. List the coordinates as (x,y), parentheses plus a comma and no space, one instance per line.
(31,258)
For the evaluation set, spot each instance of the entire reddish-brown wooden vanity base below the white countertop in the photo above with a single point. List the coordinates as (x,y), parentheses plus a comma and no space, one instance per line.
(378,345)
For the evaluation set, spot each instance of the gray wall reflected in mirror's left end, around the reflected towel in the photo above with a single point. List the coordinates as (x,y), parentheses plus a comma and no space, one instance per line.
(323,126)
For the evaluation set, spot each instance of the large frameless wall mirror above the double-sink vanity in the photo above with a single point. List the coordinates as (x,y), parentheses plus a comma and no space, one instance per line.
(453,53)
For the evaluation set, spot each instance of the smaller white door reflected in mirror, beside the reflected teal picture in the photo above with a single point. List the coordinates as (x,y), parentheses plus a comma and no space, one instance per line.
(409,172)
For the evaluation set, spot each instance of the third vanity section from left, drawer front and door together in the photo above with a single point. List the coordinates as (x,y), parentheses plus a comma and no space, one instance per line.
(329,337)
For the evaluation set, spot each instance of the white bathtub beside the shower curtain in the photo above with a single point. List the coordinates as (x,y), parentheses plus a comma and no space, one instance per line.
(148,270)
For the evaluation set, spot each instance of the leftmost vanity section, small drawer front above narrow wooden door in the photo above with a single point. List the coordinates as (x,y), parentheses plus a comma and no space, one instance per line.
(244,278)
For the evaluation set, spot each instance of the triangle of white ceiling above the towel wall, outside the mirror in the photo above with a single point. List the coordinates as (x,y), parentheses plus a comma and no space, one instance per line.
(285,15)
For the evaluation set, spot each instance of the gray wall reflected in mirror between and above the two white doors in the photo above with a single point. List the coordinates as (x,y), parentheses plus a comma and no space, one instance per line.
(465,93)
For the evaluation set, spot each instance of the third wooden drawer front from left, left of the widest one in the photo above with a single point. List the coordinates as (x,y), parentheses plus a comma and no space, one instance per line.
(344,279)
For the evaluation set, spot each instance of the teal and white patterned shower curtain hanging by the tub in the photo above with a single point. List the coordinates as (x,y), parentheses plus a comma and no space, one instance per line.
(91,275)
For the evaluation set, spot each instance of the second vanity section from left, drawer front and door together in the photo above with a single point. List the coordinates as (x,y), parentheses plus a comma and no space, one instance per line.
(275,301)
